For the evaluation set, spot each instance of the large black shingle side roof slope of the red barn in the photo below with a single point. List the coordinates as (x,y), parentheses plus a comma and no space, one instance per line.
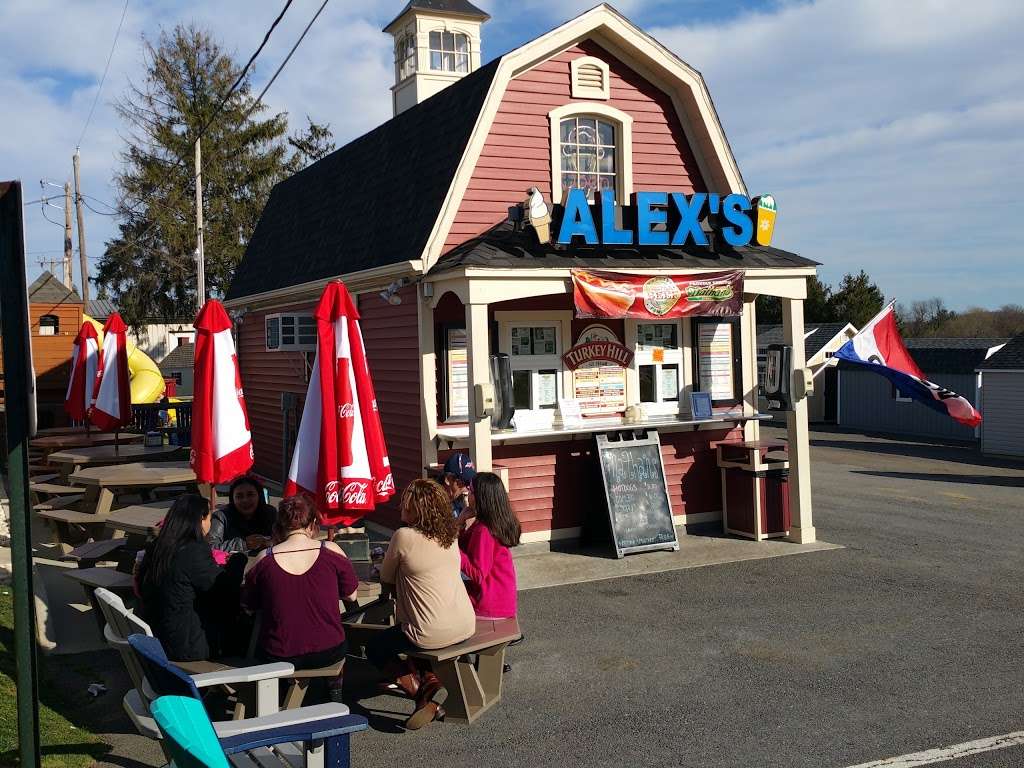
(374,202)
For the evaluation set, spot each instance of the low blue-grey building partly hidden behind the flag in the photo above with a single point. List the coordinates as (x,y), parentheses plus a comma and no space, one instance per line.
(870,403)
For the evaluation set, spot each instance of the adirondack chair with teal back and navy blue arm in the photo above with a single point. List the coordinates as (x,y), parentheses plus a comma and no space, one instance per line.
(285,740)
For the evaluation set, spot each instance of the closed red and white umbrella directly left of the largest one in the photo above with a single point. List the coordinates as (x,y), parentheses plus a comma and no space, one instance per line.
(223,447)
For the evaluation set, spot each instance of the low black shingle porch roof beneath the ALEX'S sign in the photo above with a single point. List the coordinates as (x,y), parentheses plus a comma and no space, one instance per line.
(503,247)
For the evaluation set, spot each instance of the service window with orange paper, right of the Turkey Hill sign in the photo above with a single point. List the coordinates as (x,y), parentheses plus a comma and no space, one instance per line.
(660,365)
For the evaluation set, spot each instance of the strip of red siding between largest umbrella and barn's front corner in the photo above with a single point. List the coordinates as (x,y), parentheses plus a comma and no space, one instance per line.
(392,336)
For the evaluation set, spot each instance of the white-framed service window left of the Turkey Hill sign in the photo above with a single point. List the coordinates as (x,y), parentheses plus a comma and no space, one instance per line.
(535,350)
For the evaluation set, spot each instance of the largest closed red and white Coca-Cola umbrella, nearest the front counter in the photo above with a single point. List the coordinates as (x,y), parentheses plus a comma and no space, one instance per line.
(340,458)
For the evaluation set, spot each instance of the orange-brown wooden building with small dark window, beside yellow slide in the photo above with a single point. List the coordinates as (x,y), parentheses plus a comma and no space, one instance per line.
(56,317)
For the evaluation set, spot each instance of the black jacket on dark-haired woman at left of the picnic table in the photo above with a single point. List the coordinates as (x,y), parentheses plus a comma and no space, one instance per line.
(189,592)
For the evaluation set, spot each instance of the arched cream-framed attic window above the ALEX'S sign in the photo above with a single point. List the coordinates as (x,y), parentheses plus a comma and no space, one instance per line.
(592,150)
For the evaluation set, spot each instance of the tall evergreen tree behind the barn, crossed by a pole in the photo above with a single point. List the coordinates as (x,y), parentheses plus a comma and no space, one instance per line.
(150,269)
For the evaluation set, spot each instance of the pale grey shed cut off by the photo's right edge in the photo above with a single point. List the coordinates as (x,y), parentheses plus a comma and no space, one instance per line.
(1002,401)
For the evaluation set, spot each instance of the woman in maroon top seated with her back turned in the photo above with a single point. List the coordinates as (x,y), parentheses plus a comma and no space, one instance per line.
(297,586)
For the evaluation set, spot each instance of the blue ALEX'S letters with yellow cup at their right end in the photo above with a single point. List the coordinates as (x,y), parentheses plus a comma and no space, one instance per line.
(658,219)
